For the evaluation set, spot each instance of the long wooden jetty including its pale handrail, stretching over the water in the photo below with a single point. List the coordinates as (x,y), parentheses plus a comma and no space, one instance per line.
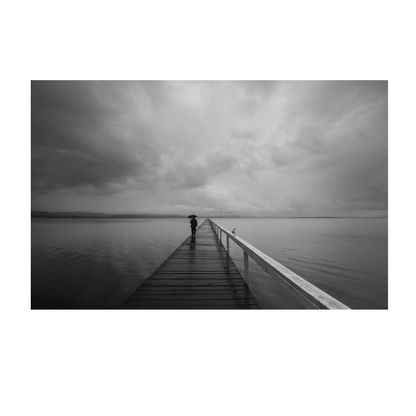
(200,274)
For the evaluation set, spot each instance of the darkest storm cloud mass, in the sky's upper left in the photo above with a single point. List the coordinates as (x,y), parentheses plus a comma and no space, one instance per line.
(78,138)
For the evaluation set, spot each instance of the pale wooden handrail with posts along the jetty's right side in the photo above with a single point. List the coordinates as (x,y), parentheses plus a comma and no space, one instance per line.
(306,293)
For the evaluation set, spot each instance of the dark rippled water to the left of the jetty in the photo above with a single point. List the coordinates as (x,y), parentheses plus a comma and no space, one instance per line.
(95,263)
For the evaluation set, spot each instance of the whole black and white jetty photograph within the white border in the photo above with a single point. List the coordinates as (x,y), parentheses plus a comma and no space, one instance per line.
(209,194)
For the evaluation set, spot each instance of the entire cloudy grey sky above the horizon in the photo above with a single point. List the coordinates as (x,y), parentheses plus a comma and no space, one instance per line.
(262,148)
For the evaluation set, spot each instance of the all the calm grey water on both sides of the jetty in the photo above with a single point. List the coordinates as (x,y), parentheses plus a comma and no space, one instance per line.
(98,263)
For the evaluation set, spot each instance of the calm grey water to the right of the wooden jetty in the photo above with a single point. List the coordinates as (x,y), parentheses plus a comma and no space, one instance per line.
(345,257)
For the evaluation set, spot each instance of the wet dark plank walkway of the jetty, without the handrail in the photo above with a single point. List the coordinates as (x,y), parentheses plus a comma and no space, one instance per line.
(198,275)
